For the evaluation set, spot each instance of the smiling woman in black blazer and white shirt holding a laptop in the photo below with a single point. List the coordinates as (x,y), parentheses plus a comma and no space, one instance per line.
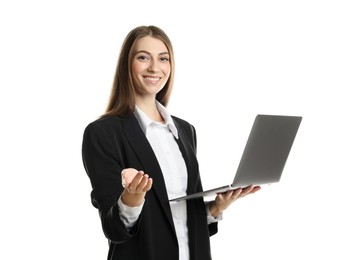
(138,156)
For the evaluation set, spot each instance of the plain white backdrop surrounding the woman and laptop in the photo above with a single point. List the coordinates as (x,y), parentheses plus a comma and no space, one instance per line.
(234,59)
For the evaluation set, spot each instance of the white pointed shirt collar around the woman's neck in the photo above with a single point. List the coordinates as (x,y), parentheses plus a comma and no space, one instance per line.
(145,121)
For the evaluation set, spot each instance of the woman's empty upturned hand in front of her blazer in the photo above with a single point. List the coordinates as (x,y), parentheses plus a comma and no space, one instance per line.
(135,184)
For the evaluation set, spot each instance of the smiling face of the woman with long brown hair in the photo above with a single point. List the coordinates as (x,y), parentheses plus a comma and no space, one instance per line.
(150,66)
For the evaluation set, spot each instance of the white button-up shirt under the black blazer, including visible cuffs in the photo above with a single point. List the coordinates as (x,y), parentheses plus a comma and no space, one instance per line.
(161,137)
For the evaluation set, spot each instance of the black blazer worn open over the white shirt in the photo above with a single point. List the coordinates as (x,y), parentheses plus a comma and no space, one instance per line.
(113,143)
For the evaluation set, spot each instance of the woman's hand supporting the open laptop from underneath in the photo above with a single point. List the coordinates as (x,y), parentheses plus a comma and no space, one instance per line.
(224,200)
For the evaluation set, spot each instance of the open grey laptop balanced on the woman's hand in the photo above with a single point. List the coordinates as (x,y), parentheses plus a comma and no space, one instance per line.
(265,154)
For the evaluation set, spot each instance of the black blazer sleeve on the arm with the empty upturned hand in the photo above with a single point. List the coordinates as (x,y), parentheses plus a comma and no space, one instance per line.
(103,164)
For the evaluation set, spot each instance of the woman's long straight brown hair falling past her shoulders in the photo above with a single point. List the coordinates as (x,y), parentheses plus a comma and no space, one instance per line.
(122,98)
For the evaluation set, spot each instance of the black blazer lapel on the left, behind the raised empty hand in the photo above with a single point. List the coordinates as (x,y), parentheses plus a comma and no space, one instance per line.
(148,161)
